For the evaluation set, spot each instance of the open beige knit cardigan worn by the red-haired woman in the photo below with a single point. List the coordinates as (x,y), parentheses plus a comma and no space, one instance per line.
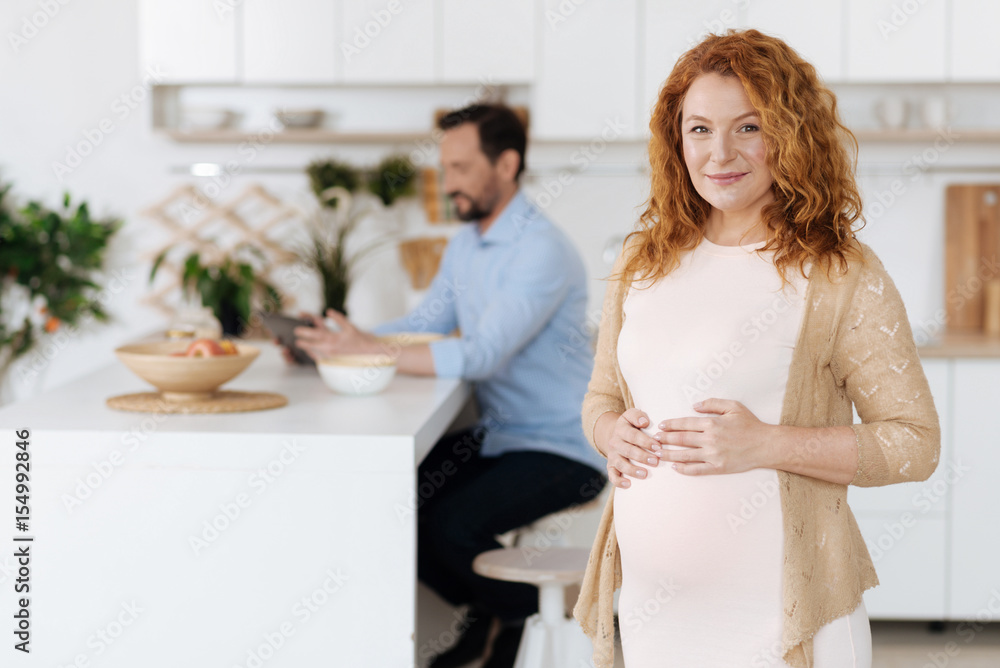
(854,345)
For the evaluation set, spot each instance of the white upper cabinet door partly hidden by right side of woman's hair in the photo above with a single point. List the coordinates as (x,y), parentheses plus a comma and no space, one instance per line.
(819,40)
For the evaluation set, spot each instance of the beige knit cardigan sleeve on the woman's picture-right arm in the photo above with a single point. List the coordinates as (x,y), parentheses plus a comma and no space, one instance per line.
(875,359)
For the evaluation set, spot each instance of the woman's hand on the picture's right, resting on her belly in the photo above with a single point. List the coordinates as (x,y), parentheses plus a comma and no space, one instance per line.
(732,441)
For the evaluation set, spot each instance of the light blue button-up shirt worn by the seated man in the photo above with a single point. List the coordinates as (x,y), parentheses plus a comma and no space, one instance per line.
(518,295)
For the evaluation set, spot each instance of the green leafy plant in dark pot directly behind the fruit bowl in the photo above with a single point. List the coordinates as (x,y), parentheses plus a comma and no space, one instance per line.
(232,287)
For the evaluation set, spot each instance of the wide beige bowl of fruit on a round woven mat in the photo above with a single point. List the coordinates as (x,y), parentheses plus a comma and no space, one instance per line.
(186,377)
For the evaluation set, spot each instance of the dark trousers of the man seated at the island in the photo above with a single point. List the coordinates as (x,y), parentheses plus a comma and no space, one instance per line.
(467,500)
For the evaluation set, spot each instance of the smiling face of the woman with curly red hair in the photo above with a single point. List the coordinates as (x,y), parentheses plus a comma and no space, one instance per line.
(723,147)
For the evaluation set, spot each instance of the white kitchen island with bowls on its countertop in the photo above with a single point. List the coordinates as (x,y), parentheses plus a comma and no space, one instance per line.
(277,538)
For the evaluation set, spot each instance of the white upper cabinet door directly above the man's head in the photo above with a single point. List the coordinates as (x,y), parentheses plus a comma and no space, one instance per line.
(488,41)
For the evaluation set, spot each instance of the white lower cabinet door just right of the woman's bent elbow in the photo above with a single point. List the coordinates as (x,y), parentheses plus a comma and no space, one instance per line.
(930,496)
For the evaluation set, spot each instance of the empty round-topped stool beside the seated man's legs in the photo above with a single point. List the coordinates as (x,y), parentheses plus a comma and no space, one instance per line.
(550,640)
